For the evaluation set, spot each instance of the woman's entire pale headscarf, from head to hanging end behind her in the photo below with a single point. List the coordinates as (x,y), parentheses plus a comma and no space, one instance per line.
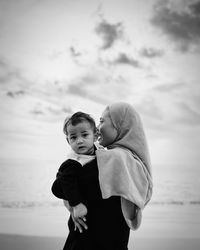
(125,168)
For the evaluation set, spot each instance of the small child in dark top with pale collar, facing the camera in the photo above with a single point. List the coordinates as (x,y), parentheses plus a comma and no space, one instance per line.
(81,133)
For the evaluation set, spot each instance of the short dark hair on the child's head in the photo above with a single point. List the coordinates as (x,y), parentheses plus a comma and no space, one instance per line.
(77,118)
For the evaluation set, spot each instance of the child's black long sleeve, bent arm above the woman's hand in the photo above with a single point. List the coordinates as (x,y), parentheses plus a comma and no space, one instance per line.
(66,184)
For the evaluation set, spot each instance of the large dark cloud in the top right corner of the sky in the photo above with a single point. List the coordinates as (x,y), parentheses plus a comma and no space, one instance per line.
(183,27)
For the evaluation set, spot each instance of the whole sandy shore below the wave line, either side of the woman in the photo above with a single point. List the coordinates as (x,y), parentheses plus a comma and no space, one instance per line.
(173,227)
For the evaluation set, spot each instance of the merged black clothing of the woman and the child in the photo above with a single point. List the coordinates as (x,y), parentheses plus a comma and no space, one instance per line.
(107,229)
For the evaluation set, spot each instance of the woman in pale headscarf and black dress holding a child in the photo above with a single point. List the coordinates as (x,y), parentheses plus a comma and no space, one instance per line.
(122,196)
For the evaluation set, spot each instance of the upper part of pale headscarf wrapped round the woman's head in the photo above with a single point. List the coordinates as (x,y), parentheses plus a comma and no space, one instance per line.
(131,134)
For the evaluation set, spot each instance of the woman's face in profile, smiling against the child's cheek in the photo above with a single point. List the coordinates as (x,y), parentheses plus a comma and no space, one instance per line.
(107,132)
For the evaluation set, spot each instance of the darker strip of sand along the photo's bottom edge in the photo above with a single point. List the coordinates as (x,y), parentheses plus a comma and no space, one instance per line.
(21,242)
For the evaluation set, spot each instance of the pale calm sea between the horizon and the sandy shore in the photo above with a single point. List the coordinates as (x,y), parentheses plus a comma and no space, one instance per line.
(26,183)
